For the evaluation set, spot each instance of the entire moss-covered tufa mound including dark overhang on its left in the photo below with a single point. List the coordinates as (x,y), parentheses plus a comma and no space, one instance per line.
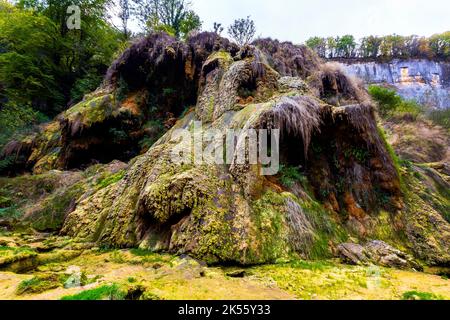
(347,183)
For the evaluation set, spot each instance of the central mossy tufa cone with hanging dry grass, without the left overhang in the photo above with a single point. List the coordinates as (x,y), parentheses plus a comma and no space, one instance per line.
(231,213)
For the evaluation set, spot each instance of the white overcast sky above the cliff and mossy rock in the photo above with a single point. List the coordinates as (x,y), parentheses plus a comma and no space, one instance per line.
(297,20)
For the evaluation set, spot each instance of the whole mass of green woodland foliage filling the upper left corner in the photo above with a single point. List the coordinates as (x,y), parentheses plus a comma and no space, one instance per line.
(43,64)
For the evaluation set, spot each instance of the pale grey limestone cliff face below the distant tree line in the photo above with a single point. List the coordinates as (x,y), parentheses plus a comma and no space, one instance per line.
(427,82)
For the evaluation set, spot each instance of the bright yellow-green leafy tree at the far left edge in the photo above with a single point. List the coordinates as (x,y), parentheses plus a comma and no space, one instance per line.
(27,65)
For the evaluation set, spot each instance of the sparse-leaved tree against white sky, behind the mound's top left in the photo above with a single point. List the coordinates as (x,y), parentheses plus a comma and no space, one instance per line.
(172,16)
